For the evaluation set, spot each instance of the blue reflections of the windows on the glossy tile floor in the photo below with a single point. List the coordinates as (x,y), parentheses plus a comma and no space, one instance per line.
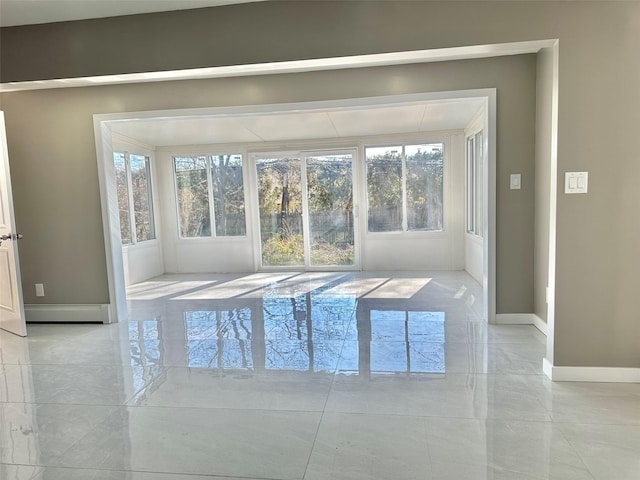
(311,332)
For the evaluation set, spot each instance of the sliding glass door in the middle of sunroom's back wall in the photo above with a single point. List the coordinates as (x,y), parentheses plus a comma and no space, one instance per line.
(306,210)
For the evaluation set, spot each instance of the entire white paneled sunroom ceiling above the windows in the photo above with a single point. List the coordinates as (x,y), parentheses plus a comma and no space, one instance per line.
(301,125)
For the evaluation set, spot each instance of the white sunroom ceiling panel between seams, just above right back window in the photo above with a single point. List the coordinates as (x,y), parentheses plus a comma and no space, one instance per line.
(378,121)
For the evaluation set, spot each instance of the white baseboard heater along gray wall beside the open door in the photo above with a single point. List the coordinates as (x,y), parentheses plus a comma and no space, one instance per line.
(47,313)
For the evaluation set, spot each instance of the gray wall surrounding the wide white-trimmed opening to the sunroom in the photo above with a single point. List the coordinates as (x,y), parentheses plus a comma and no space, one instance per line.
(53,157)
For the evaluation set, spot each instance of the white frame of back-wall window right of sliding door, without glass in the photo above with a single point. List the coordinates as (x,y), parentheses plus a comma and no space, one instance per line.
(403,143)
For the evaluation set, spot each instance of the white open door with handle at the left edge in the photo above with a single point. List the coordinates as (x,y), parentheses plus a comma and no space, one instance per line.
(11,303)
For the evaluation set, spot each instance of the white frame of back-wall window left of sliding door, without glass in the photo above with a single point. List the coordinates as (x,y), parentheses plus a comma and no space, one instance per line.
(210,194)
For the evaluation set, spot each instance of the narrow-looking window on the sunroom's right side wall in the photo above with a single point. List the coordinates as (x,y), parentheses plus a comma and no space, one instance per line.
(474,184)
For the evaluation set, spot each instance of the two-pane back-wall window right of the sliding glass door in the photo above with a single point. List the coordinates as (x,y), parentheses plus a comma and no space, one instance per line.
(405,187)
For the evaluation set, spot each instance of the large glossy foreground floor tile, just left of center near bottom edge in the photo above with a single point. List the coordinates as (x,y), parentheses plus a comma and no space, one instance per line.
(245,443)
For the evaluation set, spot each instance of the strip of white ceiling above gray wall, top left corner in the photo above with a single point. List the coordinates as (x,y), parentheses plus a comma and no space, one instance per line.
(28,12)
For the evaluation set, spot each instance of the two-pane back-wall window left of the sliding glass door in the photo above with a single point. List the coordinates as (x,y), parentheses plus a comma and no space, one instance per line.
(210,196)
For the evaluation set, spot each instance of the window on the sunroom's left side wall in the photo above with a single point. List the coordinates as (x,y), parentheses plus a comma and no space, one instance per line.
(133,186)
